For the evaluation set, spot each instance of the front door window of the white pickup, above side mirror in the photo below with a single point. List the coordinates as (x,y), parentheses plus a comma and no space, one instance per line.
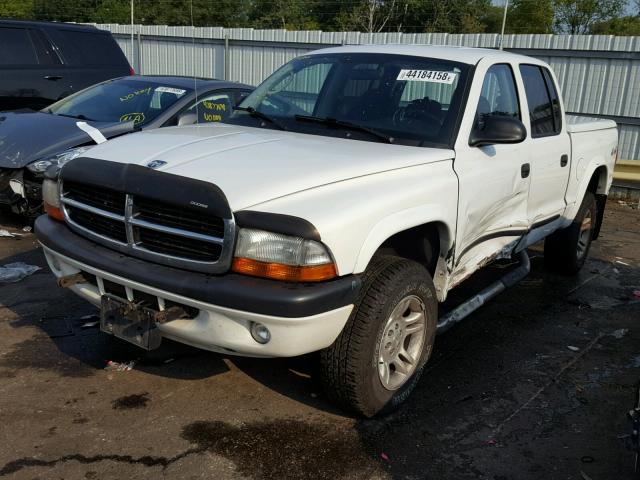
(499,96)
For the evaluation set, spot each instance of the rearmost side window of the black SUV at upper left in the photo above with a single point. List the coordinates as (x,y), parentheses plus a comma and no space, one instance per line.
(88,48)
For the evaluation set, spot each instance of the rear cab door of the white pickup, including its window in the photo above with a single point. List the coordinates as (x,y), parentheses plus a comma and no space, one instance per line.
(548,148)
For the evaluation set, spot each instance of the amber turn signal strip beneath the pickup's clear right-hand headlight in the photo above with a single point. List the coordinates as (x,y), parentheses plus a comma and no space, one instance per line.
(287,273)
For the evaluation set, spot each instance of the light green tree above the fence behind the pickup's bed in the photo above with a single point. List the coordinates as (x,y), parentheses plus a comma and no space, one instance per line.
(579,16)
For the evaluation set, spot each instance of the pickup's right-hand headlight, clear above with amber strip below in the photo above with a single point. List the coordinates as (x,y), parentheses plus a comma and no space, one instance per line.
(282,257)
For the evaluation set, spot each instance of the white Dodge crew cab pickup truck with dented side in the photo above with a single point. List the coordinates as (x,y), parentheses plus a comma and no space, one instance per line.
(339,204)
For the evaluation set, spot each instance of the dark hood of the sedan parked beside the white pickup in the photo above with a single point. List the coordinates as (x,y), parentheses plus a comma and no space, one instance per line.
(29,136)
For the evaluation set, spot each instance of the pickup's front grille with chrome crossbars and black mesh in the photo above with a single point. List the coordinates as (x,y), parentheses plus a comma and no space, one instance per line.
(150,229)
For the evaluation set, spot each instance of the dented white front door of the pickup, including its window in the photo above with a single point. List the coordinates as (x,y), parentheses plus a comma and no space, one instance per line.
(493,180)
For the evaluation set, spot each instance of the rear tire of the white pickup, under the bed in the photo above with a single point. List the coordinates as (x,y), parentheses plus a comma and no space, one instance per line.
(566,250)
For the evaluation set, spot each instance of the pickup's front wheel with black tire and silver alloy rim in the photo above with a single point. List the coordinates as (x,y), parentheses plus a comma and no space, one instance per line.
(357,372)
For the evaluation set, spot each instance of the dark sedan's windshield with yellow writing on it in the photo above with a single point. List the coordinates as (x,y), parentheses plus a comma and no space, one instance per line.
(119,101)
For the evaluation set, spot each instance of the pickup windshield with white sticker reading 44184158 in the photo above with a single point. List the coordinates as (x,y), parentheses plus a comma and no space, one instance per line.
(363,96)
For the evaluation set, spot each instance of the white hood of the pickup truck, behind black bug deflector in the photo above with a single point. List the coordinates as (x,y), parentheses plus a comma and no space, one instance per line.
(255,165)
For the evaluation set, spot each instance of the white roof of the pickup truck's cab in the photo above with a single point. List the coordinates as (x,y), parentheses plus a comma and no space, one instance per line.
(457,54)
